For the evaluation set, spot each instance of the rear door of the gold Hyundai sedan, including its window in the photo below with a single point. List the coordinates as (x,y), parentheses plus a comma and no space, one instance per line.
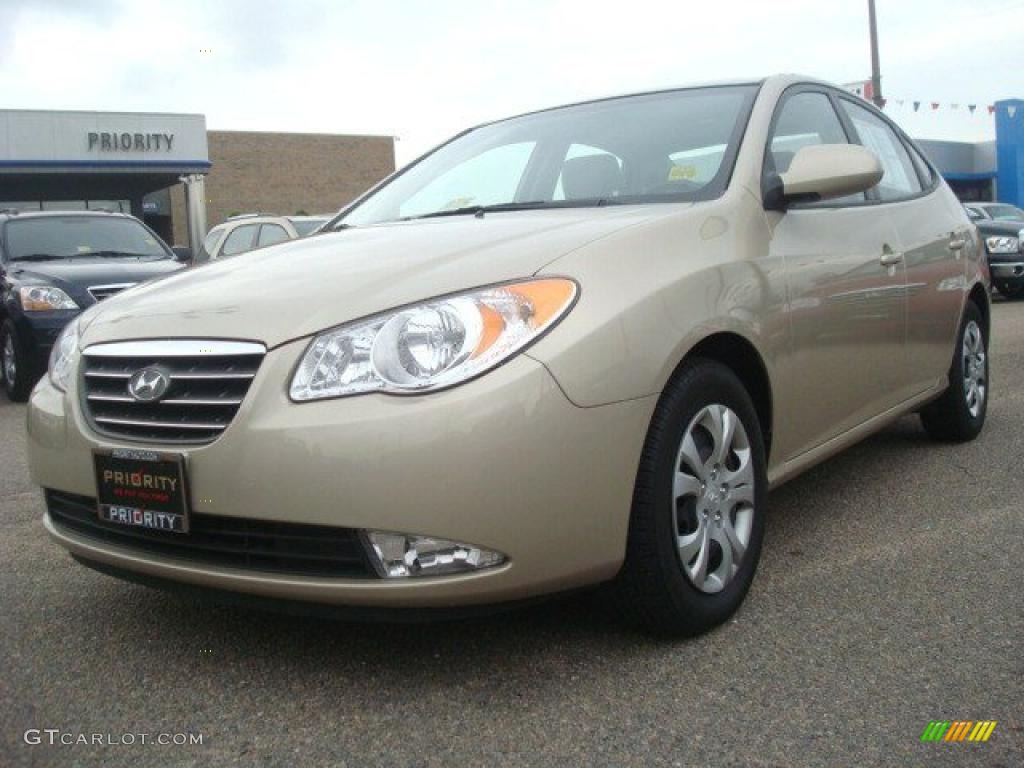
(929,226)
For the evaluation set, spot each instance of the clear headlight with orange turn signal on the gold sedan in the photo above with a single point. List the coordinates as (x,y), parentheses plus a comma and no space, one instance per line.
(433,346)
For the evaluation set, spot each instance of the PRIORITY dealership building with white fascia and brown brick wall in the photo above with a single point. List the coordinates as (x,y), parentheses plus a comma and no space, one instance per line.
(174,174)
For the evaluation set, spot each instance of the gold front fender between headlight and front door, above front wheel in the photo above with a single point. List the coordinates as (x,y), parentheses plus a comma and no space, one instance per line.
(649,295)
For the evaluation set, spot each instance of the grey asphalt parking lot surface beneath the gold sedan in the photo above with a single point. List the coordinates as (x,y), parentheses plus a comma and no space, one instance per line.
(889,595)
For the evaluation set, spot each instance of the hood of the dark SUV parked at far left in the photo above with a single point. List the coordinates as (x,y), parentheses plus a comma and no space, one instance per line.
(75,277)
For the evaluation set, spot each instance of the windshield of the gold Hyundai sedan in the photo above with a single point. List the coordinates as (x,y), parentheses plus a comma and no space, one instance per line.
(673,146)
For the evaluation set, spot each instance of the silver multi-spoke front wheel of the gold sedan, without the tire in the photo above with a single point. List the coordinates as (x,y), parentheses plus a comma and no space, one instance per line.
(714,498)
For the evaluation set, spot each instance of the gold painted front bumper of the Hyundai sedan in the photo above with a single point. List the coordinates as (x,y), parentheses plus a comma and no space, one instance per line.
(505,462)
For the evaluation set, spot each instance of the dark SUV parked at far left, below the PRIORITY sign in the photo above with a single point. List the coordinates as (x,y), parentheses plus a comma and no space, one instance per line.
(54,266)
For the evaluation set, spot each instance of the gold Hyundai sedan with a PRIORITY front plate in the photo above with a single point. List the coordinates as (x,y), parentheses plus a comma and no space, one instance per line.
(571,348)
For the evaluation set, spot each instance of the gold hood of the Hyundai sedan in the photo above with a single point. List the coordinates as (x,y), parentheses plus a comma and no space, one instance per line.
(296,289)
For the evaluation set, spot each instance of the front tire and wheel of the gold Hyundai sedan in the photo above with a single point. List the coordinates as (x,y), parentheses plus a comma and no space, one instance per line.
(698,520)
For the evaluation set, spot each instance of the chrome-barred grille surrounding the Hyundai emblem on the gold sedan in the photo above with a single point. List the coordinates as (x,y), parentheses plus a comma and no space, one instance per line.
(208,382)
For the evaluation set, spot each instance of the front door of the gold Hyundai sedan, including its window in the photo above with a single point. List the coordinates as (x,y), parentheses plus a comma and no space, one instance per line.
(845,289)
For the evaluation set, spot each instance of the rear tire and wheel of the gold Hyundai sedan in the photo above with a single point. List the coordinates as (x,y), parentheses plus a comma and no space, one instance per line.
(960,414)
